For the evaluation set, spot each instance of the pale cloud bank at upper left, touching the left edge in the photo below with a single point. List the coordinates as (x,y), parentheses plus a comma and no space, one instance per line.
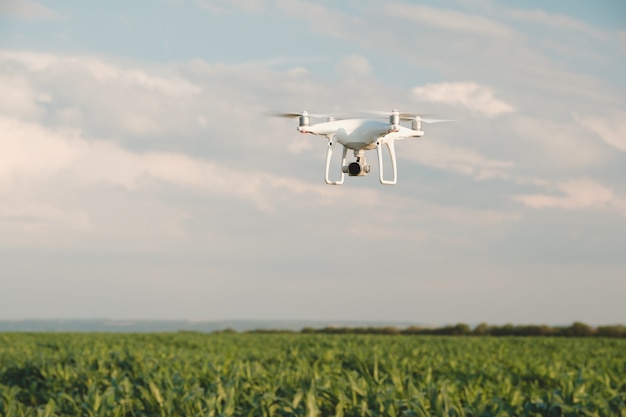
(94,94)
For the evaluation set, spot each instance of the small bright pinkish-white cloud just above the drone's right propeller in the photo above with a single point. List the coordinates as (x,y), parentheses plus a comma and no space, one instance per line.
(471,95)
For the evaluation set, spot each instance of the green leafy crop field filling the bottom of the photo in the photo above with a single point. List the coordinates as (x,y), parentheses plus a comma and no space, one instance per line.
(187,374)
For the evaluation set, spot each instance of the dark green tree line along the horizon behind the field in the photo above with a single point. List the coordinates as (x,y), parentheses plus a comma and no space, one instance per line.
(576,329)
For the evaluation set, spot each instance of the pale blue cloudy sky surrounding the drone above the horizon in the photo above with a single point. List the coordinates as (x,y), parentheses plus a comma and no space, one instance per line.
(141,177)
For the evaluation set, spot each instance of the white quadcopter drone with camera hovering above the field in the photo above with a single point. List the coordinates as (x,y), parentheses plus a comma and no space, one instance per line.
(360,135)
